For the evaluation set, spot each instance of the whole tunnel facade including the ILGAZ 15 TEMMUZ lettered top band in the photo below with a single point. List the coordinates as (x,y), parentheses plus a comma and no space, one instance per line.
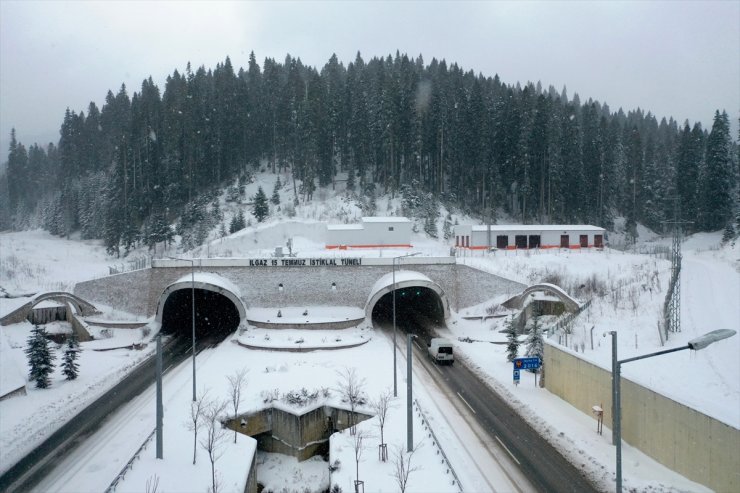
(357,282)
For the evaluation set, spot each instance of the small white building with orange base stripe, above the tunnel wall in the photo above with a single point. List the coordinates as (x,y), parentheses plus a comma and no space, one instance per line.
(372,232)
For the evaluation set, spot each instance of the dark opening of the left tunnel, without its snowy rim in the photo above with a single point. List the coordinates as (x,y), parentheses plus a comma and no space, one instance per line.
(215,314)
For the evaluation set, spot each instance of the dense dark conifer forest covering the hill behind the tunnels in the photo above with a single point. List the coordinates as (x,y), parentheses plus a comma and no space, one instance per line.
(125,171)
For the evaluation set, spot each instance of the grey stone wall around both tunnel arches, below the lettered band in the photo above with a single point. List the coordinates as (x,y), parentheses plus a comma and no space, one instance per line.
(139,292)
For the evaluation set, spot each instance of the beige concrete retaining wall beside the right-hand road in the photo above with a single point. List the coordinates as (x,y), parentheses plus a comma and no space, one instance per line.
(691,443)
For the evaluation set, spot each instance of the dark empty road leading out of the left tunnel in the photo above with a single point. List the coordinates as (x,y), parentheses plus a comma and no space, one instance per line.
(29,471)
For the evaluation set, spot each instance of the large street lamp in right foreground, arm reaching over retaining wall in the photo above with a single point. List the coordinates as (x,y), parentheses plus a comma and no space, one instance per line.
(695,344)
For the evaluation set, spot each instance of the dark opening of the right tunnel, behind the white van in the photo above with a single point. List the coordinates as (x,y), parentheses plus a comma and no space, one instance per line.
(416,308)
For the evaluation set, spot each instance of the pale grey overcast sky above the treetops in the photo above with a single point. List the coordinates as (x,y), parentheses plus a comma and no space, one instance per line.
(673,58)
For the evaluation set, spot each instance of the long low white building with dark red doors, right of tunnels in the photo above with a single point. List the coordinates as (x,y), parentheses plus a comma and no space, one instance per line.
(513,236)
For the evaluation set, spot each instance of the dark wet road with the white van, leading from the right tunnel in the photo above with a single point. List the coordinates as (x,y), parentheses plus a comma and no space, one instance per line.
(537,460)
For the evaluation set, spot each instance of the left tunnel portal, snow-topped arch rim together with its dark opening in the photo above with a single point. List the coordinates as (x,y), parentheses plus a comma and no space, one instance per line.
(219,308)
